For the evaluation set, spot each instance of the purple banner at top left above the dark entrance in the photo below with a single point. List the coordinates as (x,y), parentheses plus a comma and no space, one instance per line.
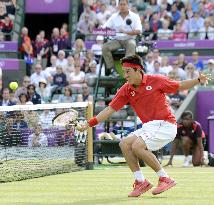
(47,6)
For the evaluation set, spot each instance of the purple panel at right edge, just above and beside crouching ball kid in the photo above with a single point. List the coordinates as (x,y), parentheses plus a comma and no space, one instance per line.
(204,107)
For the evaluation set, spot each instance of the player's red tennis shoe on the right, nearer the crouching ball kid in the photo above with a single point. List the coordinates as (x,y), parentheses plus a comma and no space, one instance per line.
(164,184)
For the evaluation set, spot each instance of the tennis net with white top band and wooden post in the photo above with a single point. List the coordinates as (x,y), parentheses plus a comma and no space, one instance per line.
(30,146)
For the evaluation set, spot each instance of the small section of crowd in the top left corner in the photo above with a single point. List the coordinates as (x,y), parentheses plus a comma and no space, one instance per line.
(7,15)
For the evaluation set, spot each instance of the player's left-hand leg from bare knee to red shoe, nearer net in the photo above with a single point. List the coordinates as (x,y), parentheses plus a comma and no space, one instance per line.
(141,185)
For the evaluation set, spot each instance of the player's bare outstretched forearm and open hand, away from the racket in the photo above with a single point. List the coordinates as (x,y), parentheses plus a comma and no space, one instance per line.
(187,84)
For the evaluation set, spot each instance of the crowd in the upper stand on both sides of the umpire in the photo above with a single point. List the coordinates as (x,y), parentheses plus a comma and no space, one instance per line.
(161,19)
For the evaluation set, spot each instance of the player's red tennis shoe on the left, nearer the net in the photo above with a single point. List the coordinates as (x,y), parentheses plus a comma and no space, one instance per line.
(140,188)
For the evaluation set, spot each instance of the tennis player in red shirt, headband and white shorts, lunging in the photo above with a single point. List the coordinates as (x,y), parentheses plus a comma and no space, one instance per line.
(146,95)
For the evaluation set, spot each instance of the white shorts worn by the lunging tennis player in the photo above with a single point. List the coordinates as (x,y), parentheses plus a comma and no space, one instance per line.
(156,134)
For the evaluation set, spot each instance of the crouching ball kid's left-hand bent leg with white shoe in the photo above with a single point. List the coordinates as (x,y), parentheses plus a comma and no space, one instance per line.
(186,143)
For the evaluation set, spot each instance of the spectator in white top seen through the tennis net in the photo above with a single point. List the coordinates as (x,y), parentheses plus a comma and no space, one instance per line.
(38,138)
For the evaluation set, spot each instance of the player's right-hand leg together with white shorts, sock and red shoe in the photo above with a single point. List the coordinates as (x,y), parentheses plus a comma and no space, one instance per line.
(152,137)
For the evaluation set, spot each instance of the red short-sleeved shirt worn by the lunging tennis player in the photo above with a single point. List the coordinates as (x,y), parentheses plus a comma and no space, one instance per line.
(149,99)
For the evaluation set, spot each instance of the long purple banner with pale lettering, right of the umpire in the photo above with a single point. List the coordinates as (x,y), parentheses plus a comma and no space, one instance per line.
(188,44)
